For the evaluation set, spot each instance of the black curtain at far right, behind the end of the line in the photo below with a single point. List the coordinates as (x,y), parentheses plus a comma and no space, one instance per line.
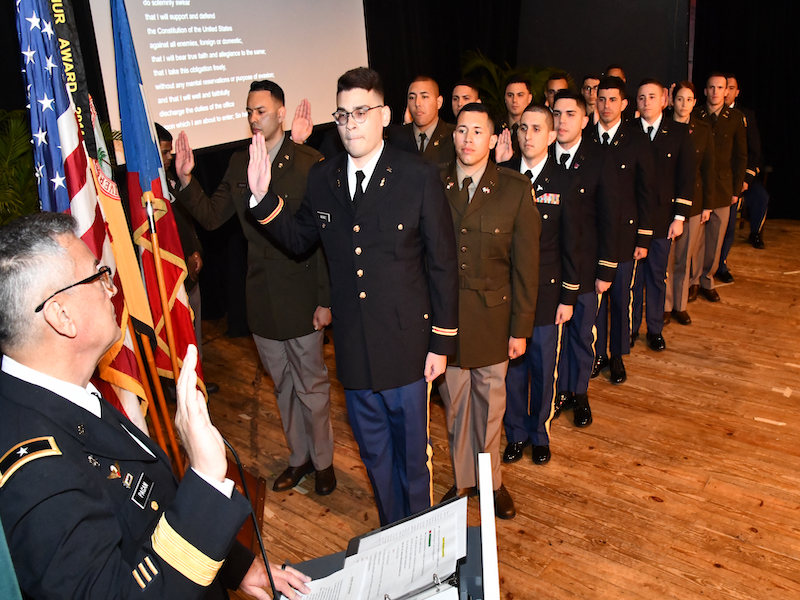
(757,41)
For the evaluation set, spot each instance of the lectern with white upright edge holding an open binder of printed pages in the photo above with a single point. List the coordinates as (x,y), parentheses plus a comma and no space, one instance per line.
(429,555)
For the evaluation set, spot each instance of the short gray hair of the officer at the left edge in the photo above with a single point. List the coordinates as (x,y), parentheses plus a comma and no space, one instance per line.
(31,261)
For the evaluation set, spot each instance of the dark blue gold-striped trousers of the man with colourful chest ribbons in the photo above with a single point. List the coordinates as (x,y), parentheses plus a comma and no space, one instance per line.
(529,421)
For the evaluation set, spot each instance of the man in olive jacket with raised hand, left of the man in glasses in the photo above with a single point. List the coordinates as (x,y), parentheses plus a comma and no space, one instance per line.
(288,295)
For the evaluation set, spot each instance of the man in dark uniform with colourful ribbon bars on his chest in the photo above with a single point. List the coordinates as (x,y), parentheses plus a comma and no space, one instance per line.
(528,422)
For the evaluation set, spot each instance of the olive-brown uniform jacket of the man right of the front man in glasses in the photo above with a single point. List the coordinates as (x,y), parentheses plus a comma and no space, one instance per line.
(497,248)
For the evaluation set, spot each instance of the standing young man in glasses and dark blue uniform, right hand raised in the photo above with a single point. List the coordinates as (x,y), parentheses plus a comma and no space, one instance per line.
(383,220)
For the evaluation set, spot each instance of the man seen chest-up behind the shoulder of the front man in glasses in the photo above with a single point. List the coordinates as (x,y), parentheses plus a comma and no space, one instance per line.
(427,135)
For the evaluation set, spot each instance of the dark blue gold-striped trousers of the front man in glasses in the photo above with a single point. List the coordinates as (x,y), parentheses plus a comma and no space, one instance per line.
(391,428)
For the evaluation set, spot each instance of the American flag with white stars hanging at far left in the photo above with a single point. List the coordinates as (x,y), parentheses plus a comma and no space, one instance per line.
(65,181)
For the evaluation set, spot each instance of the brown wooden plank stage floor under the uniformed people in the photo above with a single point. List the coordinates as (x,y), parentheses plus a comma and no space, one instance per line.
(686,486)
